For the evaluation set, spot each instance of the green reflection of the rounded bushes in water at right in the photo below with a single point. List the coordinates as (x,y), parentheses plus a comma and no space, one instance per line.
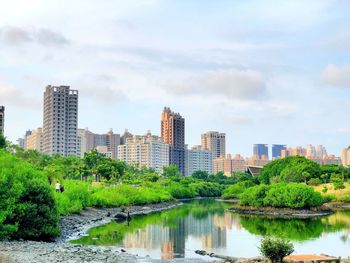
(296,229)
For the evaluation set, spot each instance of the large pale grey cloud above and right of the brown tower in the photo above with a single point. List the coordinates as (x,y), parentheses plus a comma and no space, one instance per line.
(228,83)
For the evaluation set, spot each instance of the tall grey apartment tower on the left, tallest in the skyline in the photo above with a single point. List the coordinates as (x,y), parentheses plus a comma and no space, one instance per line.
(60,121)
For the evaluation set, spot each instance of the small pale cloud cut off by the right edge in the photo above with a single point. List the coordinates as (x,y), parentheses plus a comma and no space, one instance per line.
(338,76)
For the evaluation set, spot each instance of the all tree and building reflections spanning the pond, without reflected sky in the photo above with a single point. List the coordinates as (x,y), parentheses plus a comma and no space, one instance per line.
(207,221)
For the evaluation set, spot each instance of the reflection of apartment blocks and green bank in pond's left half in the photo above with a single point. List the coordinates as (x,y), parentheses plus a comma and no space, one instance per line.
(167,230)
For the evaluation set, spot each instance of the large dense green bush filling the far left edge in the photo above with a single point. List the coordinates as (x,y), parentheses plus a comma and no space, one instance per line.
(27,206)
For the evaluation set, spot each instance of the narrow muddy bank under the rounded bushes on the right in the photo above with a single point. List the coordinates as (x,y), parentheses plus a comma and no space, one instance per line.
(285,213)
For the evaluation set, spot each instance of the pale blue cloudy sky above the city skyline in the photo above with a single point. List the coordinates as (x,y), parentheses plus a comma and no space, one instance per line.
(274,72)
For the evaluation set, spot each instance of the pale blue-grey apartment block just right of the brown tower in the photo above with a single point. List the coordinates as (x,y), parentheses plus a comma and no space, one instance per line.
(199,159)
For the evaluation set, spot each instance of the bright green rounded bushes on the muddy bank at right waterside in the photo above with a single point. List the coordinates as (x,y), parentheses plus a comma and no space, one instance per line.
(281,195)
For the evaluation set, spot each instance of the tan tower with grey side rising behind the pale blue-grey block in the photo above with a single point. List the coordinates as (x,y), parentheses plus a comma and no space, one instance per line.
(215,142)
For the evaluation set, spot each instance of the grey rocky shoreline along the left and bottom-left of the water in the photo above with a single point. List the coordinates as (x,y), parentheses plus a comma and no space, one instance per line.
(75,226)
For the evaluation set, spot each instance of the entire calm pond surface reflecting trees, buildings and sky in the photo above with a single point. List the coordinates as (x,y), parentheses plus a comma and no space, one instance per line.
(206,224)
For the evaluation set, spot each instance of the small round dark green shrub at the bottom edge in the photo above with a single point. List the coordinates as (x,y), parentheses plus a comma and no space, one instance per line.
(275,249)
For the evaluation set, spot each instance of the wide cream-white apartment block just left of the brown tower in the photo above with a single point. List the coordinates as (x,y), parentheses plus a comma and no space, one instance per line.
(147,150)
